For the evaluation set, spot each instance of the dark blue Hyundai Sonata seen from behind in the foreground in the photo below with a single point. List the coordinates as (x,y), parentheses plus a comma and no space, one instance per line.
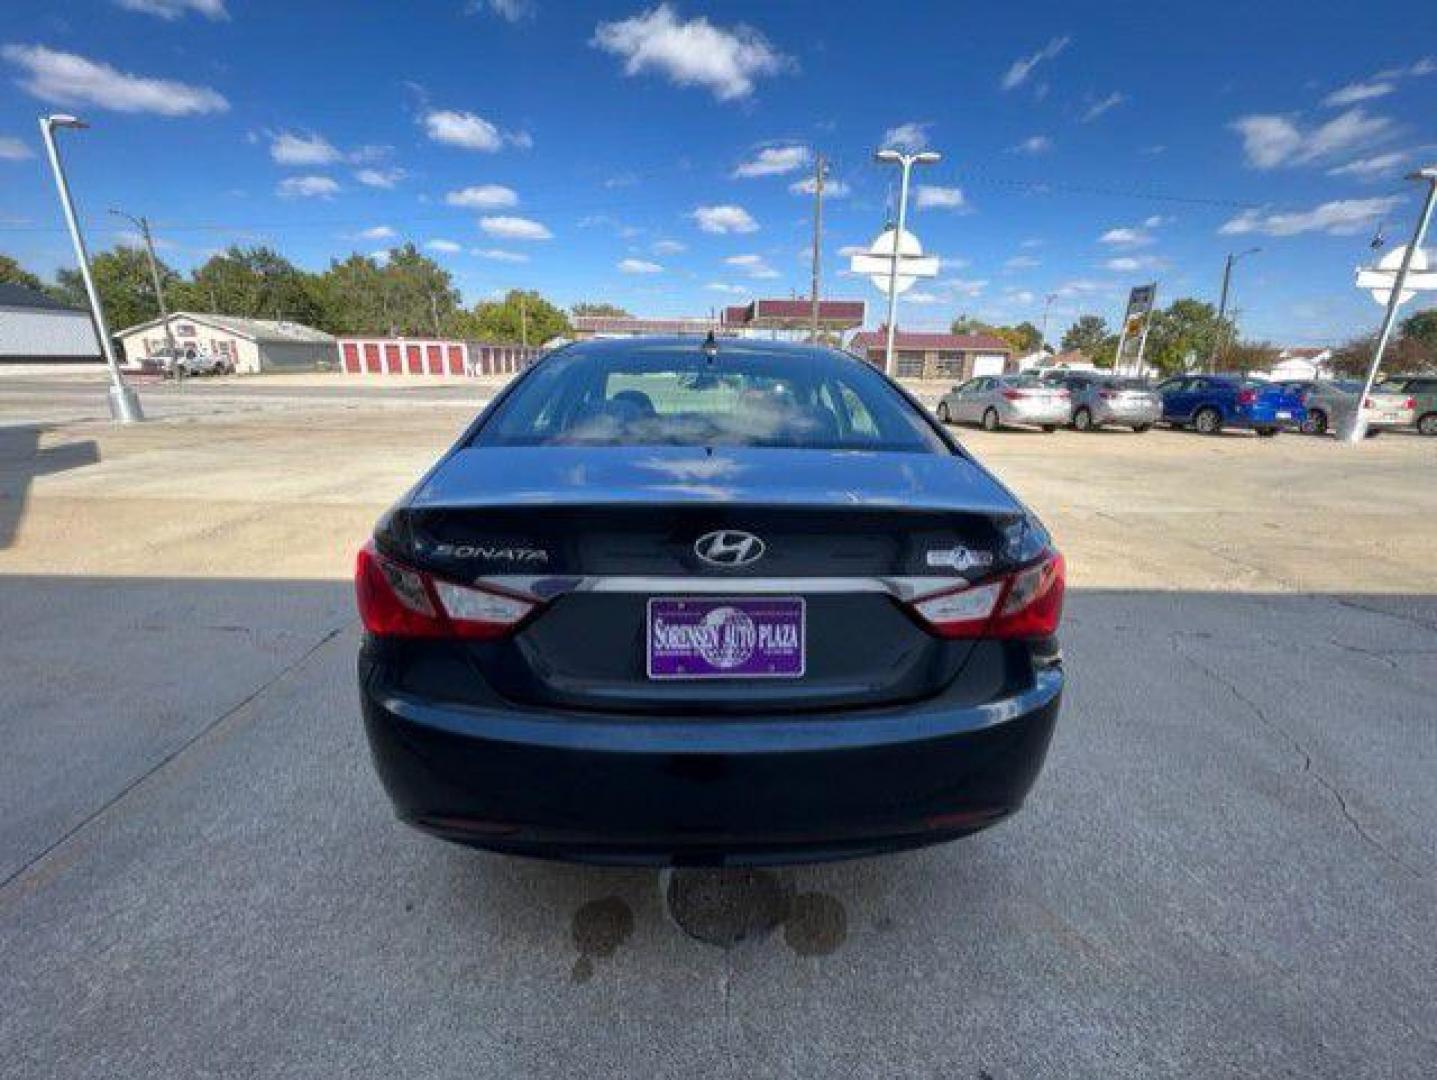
(708,604)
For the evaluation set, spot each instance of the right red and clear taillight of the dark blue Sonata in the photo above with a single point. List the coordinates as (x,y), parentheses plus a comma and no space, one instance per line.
(1028,604)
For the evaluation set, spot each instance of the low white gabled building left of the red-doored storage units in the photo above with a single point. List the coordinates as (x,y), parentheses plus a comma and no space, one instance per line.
(252,345)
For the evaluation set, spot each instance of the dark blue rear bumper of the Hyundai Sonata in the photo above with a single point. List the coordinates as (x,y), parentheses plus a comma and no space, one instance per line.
(656,791)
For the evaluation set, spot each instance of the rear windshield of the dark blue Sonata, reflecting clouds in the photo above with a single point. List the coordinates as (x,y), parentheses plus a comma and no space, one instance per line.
(741,399)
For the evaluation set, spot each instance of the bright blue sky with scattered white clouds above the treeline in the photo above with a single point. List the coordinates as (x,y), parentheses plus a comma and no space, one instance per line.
(646,154)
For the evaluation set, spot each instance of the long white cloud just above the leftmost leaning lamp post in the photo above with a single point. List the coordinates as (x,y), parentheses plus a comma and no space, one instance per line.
(71,80)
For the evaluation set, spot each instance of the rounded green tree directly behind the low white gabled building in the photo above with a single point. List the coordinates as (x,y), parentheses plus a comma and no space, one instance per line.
(254,284)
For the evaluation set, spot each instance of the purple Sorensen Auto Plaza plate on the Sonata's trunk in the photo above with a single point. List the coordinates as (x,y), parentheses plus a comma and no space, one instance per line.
(726,638)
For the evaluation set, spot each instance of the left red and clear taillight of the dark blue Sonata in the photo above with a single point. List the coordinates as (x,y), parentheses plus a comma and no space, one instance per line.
(397,601)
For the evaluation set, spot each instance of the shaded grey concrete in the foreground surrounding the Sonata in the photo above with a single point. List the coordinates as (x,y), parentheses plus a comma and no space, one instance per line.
(1237,816)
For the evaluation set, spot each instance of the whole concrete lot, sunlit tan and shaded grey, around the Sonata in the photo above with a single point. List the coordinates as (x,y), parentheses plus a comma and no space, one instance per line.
(1229,867)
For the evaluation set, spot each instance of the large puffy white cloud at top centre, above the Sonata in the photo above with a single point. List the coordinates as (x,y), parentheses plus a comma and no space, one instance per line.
(692,54)
